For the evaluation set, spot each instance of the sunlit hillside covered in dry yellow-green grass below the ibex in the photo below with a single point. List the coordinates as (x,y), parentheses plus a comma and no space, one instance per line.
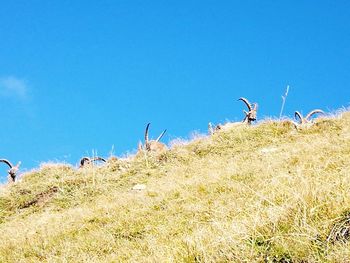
(250,194)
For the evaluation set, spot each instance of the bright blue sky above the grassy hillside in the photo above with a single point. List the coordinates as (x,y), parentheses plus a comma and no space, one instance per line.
(77,76)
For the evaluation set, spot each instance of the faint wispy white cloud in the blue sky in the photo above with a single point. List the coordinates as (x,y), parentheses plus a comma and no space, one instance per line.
(11,86)
